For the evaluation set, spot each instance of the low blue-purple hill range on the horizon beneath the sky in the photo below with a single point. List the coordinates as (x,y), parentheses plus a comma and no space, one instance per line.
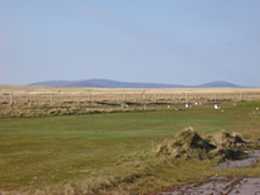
(106,83)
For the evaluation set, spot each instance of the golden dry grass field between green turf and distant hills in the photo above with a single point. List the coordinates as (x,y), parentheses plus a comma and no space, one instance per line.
(42,101)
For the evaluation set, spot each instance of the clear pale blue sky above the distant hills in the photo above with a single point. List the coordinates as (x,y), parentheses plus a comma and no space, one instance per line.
(168,41)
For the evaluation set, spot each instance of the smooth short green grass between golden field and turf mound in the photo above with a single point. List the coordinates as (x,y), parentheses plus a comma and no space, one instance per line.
(46,151)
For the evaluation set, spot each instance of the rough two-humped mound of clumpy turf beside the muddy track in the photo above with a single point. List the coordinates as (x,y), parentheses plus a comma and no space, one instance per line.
(189,144)
